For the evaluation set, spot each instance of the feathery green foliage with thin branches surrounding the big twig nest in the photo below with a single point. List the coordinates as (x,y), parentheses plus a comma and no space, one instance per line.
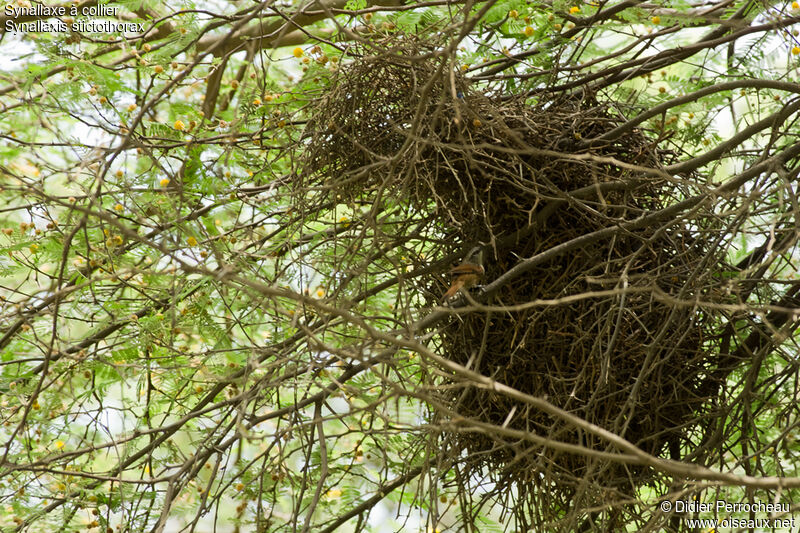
(172,335)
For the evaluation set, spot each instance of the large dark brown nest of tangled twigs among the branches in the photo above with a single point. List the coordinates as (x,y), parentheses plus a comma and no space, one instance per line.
(602,332)
